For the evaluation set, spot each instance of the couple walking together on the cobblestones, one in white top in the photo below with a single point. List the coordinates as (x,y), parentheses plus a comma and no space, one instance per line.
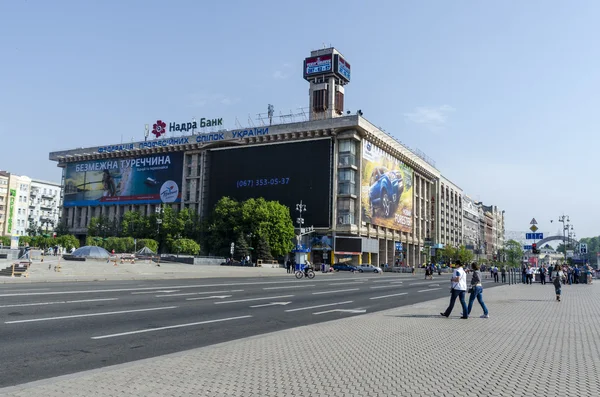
(459,290)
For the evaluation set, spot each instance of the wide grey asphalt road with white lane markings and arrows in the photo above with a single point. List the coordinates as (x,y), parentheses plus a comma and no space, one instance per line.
(54,329)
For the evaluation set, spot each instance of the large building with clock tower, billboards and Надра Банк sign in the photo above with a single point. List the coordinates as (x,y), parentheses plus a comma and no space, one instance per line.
(369,198)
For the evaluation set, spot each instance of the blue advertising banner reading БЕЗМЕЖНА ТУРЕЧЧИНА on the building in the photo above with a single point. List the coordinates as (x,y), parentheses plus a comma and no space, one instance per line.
(151,179)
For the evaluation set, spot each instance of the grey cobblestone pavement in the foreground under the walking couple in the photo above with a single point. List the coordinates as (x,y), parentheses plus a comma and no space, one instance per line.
(530,346)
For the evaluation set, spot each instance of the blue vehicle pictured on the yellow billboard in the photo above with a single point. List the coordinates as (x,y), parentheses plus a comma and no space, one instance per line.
(385,191)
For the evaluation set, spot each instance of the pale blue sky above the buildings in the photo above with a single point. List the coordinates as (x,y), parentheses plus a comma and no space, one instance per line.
(503,95)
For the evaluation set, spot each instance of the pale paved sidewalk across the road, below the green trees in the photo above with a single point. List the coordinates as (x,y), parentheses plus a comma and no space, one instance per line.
(98,270)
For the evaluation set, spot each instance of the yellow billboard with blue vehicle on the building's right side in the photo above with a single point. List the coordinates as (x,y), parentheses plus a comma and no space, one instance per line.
(386,190)
